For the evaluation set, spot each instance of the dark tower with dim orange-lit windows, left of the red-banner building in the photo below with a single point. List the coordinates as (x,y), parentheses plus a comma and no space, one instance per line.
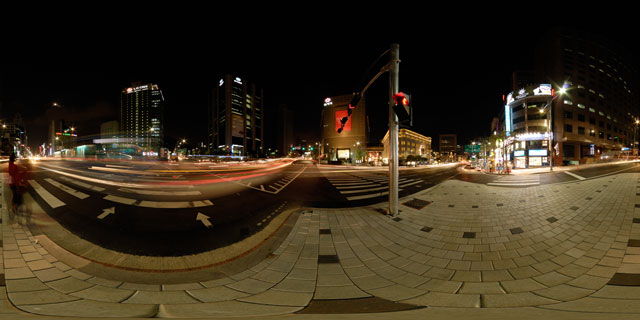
(236,118)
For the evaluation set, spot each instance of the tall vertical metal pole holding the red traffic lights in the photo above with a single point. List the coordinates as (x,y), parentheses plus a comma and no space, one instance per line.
(394,74)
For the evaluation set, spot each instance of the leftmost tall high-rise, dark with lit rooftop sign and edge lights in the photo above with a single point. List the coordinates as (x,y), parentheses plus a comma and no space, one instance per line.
(142,117)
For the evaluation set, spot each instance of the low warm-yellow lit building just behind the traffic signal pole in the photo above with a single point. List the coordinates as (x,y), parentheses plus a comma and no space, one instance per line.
(410,143)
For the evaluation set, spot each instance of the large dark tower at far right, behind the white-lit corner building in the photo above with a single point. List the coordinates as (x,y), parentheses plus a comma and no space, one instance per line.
(596,116)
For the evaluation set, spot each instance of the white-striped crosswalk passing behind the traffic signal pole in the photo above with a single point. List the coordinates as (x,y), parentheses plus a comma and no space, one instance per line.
(366,186)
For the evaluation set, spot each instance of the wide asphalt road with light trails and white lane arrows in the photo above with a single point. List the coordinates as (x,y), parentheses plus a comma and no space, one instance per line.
(172,209)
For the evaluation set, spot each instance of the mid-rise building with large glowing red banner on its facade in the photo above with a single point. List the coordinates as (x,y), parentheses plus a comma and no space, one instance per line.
(350,144)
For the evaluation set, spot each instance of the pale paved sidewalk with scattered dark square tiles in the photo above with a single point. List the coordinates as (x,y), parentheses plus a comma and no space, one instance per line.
(457,249)
